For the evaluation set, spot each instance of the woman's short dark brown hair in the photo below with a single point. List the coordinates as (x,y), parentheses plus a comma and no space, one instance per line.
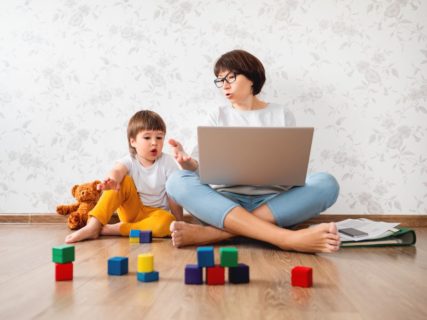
(242,62)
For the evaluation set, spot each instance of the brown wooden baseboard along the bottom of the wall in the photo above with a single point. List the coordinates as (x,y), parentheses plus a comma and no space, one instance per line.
(405,220)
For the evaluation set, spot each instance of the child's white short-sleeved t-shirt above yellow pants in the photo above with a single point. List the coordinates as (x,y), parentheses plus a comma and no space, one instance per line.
(151,182)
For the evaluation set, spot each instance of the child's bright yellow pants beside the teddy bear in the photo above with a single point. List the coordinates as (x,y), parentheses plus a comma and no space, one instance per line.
(132,213)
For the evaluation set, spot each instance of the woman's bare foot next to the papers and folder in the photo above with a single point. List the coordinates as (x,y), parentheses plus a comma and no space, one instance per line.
(321,238)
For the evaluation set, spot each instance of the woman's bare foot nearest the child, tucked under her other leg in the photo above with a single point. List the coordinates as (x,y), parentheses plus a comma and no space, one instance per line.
(184,234)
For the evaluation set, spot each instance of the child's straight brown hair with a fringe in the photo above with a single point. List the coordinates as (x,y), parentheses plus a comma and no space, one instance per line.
(144,120)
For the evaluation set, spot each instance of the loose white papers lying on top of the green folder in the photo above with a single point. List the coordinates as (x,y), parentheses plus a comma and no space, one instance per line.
(368,229)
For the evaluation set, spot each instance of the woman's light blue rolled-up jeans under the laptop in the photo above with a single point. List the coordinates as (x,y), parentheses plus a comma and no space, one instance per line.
(288,208)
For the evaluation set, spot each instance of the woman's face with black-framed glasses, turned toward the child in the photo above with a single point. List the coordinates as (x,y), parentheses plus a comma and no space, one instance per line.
(239,89)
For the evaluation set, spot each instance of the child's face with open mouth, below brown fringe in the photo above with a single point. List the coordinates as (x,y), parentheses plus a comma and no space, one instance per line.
(148,145)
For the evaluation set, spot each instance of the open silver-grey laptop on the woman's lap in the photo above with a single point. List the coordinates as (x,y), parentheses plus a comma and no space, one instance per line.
(254,155)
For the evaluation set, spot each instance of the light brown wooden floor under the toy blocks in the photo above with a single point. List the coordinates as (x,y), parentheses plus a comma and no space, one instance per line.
(375,283)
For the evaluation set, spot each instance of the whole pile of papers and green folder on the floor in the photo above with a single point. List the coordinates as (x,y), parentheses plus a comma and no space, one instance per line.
(365,232)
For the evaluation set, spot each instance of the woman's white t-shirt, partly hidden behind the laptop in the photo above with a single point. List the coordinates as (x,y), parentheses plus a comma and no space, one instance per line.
(273,115)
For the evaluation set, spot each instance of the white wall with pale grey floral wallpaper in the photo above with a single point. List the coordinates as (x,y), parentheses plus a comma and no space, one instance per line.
(72,72)
